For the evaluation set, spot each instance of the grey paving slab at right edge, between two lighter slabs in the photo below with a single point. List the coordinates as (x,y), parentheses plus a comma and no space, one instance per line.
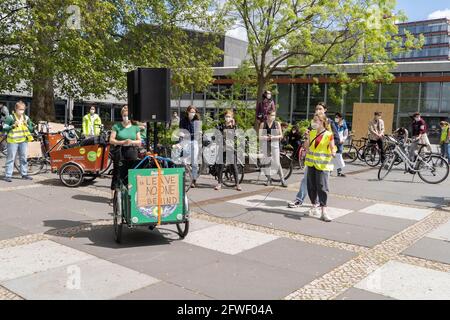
(430,249)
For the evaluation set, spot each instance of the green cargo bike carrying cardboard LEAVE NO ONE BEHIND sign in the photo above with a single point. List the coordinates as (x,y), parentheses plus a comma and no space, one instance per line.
(151,193)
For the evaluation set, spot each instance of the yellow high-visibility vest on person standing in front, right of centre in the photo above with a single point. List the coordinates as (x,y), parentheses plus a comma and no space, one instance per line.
(320,157)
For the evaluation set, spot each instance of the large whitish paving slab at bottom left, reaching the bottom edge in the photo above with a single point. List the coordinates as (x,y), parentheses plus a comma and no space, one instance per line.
(92,279)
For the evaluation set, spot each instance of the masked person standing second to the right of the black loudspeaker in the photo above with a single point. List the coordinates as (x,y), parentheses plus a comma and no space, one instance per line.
(228,131)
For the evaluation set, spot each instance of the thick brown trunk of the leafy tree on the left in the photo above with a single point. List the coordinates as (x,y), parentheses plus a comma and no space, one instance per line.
(43,103)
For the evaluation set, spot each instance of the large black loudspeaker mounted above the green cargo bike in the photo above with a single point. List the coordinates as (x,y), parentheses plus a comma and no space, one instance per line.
(149,94)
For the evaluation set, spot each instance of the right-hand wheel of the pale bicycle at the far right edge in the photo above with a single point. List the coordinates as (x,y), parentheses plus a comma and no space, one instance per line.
(434,169)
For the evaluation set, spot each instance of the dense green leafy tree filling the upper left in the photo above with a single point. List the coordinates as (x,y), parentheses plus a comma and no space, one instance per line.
(82,48)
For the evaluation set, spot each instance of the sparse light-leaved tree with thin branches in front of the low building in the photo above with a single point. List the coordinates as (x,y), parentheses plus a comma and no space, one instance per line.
(292,35)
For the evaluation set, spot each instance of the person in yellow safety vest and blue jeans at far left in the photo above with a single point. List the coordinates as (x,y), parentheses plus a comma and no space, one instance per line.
(18,127)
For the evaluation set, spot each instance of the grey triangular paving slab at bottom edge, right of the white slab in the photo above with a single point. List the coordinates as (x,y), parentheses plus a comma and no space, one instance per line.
(163,291)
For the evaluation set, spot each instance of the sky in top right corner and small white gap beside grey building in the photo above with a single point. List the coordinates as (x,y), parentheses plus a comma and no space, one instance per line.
(414,9)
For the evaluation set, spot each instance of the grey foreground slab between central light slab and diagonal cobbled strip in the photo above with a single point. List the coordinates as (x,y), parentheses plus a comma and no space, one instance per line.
(298,256)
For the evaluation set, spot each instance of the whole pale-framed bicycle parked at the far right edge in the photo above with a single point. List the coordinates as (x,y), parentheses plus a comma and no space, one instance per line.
(426,167)
